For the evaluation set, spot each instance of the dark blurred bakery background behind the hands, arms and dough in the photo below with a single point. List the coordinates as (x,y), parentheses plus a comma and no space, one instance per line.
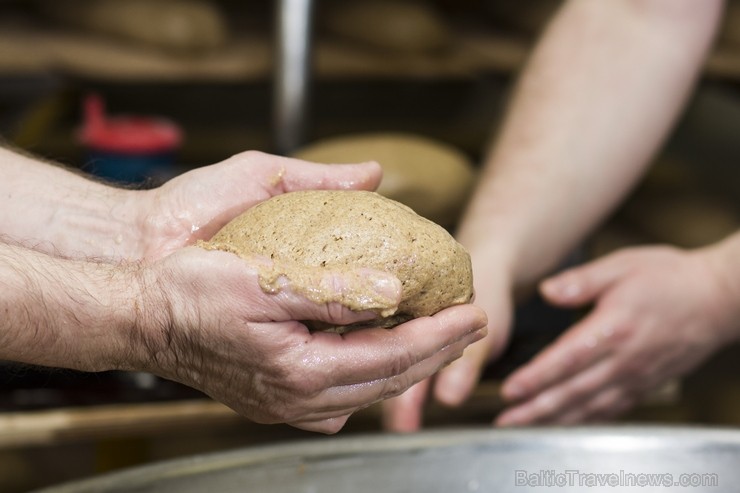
(139,91)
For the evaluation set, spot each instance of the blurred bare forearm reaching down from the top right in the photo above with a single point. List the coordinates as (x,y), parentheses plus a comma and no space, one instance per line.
(595,102)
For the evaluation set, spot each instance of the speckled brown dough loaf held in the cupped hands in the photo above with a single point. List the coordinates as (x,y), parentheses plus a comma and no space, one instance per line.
(342,230)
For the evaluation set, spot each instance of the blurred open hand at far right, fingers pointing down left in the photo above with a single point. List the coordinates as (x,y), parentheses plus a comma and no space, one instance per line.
(658,312)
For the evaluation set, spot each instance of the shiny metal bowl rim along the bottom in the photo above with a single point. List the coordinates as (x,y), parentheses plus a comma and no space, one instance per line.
(486,460)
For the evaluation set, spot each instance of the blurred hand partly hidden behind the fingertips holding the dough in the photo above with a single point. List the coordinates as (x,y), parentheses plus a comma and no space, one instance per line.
(454,384)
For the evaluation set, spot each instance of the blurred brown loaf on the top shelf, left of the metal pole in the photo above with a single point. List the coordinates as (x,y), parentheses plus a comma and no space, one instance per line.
(183,26)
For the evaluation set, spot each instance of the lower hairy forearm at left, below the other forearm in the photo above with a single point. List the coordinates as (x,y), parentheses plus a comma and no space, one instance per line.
(65,313)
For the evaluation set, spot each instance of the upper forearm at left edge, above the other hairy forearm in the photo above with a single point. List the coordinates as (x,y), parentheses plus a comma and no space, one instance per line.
(58,211)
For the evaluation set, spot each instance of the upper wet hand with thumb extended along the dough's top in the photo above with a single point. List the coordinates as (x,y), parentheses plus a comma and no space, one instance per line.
(197,204)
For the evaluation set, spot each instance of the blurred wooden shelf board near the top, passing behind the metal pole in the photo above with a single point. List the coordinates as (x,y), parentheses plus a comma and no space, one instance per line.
(249,58)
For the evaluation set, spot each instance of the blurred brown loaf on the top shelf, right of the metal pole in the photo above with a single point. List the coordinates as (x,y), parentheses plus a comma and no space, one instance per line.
(393,25)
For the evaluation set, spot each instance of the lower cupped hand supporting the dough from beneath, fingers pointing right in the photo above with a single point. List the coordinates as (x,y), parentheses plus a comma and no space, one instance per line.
(209,325)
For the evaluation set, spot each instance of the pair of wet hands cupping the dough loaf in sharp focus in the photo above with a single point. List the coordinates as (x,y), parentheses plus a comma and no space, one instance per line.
(206,323)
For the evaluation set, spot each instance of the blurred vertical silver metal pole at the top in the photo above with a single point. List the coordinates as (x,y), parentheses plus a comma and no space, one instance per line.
(292,72)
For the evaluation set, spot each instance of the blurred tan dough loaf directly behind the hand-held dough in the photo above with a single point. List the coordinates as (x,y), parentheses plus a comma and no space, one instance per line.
(431,177)
